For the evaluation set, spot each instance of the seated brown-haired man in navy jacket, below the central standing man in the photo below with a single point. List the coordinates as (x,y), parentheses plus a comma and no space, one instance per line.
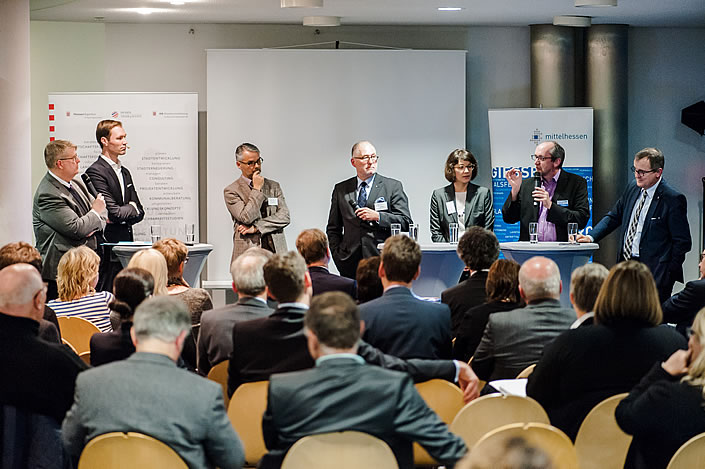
(399,323)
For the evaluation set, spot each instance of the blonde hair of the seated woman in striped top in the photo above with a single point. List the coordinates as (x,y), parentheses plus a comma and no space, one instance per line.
(77,269)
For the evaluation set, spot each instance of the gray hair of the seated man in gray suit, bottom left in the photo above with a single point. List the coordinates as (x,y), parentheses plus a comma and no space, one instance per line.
(161,317)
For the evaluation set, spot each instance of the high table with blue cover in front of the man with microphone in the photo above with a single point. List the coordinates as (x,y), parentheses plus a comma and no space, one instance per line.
(567,256)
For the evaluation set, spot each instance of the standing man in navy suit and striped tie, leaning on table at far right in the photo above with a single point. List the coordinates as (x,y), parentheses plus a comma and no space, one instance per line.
(654,223)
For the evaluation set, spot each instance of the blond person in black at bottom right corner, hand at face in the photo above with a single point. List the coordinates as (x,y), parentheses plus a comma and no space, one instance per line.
(665,409)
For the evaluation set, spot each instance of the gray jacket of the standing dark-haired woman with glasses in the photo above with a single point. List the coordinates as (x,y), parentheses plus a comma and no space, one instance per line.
(478,210)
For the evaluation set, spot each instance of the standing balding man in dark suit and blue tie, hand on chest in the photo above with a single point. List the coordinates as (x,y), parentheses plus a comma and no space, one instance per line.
(362,209)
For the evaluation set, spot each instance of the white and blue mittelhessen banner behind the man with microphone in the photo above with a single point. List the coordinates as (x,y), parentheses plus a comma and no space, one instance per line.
(514,135)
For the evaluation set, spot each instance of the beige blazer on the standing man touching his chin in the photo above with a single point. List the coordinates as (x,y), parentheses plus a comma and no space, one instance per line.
(251,207)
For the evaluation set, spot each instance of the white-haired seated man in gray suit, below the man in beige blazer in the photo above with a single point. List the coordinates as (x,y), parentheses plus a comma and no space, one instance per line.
(215,339)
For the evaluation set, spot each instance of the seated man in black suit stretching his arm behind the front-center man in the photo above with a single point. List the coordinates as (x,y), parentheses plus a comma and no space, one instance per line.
(282,339)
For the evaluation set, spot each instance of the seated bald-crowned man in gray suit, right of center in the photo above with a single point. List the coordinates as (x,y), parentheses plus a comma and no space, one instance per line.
(515,339)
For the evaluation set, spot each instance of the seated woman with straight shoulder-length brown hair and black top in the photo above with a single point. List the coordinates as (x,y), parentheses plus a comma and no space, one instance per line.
(586,365)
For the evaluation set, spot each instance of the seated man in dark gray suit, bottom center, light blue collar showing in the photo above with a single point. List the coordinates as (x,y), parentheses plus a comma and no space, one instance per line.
(343,393)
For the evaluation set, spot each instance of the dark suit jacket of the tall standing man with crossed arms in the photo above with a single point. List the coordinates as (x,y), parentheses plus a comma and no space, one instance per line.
(121,214)
